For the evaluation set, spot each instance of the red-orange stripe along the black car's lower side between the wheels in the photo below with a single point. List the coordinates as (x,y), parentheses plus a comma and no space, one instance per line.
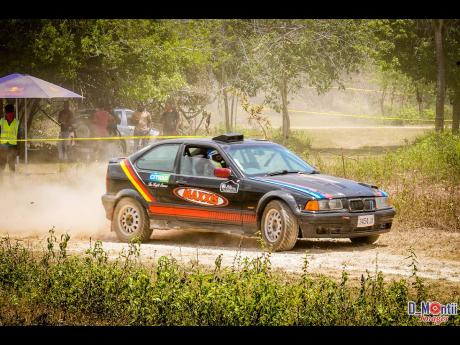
(232,217)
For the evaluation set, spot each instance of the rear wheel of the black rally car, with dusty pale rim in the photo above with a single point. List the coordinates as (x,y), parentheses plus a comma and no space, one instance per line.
(130,220)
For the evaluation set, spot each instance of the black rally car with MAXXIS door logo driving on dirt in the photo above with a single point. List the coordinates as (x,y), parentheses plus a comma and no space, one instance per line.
(231,184)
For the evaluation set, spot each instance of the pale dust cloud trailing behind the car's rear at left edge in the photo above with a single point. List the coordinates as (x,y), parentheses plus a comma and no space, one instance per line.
(43,196)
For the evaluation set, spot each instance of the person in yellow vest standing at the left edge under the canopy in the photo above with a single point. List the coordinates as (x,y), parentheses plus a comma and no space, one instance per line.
(9,134)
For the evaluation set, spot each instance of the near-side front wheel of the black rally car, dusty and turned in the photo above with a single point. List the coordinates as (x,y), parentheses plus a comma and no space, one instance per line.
(279,226)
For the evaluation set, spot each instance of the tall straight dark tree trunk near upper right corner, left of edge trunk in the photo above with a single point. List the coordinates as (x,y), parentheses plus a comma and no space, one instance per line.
(441,76)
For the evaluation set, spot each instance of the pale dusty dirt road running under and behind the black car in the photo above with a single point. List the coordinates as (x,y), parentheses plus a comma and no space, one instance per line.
(70,201)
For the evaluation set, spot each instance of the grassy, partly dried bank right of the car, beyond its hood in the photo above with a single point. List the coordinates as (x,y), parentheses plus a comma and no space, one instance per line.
(422,179)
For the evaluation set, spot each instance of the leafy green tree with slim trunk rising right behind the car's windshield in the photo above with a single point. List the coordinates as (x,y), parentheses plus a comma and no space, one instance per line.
(287,54)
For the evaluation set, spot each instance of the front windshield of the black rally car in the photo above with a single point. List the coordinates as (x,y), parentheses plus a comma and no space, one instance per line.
(255,160)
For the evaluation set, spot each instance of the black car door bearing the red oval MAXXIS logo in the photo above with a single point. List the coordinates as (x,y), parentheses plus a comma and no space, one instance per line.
(196,195)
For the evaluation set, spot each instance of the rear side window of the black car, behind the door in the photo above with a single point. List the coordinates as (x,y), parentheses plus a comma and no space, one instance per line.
(160,158)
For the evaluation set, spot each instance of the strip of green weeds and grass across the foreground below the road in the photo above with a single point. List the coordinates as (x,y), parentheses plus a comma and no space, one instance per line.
(51,288)
